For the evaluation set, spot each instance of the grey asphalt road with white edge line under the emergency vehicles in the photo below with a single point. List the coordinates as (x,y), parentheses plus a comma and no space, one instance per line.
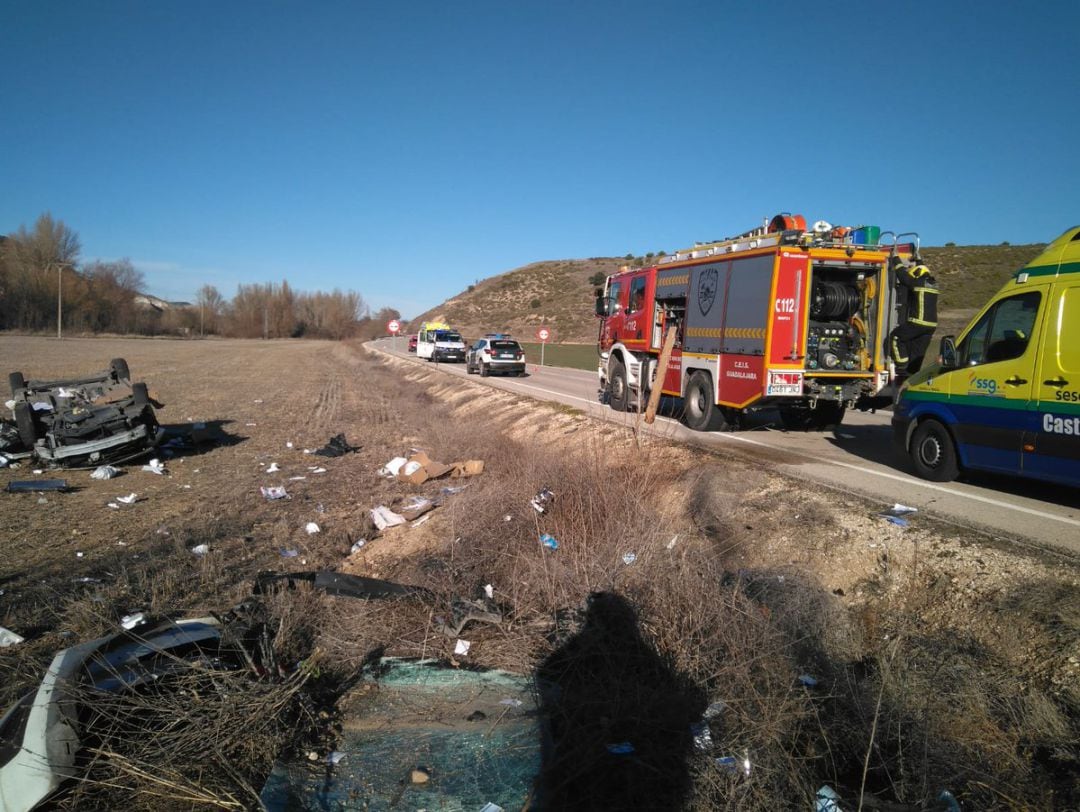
(857,458)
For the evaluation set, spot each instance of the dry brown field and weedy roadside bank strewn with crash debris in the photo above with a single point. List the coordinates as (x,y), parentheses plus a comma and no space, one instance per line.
(938,662)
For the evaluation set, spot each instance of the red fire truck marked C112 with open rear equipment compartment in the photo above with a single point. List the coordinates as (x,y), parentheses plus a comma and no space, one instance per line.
(781,317)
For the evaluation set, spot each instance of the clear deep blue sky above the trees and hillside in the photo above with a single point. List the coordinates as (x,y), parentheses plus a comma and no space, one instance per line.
(404,151)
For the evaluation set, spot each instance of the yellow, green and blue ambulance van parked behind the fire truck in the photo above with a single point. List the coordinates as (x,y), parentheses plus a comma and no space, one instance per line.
(1006,397)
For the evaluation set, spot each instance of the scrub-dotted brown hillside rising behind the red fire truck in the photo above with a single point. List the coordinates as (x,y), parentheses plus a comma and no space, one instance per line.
(560,294)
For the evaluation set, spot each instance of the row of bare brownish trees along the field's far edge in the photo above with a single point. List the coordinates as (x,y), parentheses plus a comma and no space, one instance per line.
(42,279)
